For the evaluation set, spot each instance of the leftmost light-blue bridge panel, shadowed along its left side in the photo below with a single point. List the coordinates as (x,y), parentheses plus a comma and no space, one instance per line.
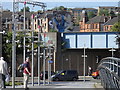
(71,41)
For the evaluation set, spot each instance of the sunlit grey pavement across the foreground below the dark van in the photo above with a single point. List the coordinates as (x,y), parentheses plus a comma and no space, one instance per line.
(89,83)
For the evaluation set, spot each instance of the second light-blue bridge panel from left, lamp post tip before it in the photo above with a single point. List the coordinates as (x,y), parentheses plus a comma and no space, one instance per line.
(83,39)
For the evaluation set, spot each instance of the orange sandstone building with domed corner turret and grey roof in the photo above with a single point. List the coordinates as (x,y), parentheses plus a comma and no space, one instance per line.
(95,24)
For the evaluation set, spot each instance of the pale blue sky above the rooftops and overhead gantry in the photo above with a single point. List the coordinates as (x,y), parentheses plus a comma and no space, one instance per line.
(7,4)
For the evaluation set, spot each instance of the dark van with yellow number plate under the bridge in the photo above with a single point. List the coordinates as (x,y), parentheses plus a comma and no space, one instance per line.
(65,75)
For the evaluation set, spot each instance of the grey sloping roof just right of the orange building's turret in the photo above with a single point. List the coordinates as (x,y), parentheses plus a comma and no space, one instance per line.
(98,19)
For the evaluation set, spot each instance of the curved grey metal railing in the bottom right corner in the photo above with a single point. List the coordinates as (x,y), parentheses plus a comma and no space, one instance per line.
(109,71)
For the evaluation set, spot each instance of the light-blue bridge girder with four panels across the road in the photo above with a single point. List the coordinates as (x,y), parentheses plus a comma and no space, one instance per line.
(90,40)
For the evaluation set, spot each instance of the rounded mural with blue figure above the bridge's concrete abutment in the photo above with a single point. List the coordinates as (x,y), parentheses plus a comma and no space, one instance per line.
(61,22)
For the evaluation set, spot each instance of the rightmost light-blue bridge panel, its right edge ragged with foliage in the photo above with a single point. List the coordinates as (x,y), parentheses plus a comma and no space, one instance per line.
(111,41)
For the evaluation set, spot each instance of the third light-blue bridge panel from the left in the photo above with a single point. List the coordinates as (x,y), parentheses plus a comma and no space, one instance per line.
(99,41)
